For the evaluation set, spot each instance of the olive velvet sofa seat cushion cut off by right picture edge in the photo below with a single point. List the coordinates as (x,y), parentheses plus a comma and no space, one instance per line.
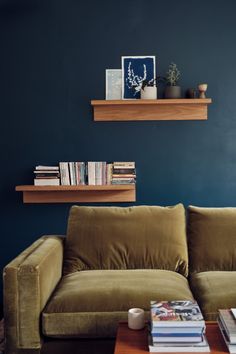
(214,290)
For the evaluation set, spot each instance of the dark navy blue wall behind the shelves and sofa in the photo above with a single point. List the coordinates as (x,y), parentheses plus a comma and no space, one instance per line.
(53,56)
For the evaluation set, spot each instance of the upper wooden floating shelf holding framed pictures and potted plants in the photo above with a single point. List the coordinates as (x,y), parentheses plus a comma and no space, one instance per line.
(160,109)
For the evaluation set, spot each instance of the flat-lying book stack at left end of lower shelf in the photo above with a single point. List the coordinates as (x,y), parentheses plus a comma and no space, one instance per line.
(46,176)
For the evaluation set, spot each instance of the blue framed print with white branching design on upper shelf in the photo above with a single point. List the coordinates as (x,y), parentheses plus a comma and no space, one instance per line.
(134,71)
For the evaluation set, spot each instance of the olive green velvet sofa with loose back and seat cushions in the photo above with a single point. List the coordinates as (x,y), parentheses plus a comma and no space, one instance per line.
(112,259)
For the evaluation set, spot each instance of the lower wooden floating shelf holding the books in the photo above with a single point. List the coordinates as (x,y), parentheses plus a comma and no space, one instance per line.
(82,194)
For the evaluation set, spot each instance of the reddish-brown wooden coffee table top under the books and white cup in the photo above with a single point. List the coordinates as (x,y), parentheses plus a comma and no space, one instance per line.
(136,342)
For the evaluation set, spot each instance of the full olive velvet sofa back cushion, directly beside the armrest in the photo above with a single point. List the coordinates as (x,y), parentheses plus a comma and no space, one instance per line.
(139,237)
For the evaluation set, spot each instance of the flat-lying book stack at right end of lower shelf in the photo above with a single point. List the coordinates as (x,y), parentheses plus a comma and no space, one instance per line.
(123,173)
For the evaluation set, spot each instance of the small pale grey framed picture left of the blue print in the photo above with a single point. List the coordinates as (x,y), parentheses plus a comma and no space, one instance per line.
(113,84)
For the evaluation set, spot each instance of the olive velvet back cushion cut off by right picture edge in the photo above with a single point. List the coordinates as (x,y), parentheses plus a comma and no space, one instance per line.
(212,239)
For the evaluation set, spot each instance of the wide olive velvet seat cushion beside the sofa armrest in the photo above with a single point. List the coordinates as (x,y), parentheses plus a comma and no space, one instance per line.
(90,303)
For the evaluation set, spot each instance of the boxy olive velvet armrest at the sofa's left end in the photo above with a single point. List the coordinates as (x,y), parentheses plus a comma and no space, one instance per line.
(29,280)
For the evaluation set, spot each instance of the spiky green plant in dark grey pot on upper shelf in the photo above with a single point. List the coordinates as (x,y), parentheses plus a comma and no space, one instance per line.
(172,90)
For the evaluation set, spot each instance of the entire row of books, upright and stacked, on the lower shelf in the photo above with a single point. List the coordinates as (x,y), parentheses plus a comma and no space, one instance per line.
(81,173)
